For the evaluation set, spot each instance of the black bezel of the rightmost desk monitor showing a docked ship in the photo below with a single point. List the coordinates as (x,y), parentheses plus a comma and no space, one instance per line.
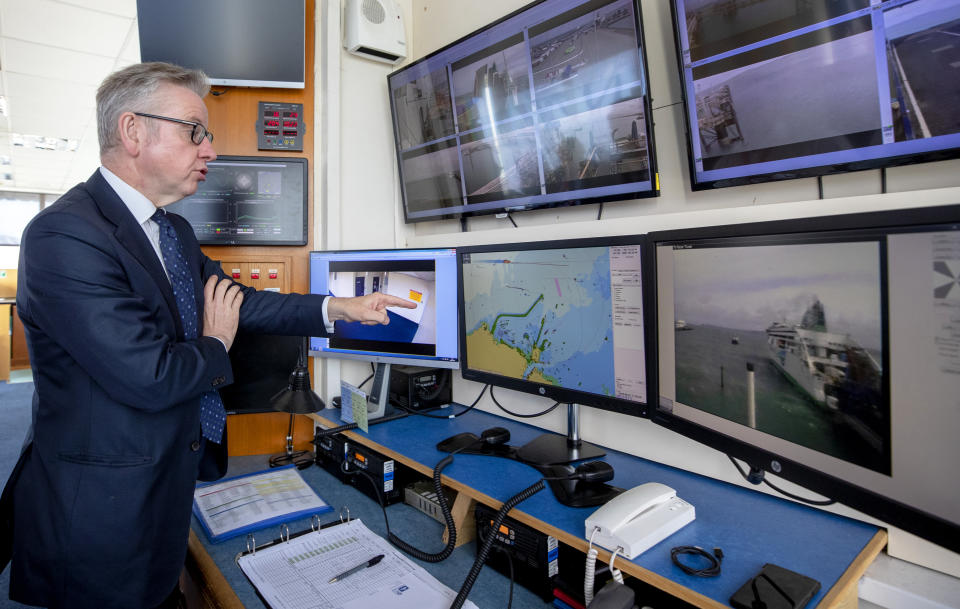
(888,509)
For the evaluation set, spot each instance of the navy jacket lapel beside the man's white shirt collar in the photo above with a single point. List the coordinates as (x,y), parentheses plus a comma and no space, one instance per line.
(131,236)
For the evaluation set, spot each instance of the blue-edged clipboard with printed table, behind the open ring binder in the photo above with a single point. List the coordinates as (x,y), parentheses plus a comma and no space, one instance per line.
(241,504)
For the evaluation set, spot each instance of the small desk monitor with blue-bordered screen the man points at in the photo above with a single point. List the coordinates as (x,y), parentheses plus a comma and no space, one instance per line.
(423,336)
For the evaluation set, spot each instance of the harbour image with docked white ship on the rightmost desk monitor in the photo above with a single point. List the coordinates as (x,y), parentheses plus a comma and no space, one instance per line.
(807,317)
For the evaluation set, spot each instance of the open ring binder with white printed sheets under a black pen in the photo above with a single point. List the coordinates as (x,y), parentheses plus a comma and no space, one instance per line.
(296,573)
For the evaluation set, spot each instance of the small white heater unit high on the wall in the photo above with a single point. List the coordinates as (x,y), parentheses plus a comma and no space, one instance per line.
(374,29)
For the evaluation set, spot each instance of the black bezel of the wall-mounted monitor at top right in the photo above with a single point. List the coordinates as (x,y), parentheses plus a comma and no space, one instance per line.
(814,171)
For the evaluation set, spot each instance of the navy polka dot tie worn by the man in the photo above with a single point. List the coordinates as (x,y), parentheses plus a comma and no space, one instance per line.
(212,415)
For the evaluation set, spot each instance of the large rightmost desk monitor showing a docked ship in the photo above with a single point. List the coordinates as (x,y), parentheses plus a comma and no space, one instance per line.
(823,350)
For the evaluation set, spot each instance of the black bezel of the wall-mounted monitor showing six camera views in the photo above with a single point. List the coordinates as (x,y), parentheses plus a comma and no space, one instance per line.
(654,190)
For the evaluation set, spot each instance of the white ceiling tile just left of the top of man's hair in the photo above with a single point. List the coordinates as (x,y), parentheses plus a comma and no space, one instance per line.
(50,62)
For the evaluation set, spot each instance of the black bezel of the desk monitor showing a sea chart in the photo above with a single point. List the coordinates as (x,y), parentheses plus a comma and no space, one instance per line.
(562,394)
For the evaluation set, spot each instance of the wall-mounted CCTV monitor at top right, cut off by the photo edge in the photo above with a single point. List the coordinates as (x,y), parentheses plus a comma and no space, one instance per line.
(778,90)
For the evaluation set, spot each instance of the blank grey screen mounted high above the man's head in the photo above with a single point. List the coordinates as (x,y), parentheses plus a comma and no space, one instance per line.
(242,43)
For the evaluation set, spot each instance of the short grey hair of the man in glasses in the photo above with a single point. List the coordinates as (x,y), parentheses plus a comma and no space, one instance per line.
(131,90)
